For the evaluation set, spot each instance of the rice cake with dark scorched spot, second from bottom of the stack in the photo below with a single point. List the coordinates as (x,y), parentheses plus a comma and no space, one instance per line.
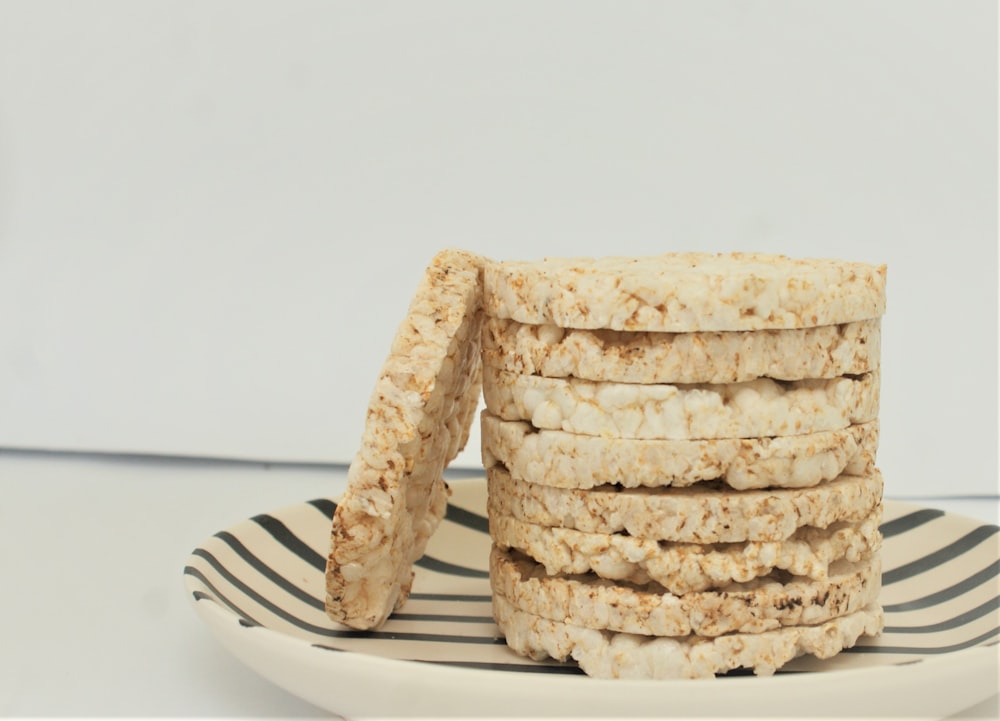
(762,604)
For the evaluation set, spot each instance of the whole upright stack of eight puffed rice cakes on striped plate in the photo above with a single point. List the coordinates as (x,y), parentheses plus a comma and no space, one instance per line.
(680,455)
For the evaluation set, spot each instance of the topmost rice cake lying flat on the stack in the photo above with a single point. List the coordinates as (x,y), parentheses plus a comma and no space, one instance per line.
(684,292)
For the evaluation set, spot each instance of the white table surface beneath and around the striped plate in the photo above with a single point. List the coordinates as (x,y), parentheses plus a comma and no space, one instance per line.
(95,620)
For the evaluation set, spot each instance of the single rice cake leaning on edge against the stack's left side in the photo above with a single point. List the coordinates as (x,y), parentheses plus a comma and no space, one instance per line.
(419,418)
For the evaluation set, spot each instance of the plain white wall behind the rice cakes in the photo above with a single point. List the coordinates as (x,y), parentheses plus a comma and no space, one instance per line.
(212,214)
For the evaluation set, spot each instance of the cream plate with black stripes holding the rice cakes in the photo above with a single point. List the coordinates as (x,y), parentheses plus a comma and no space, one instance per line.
(259,586)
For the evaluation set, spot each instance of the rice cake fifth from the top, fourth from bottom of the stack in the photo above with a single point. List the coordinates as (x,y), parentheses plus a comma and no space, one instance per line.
(706,513)
